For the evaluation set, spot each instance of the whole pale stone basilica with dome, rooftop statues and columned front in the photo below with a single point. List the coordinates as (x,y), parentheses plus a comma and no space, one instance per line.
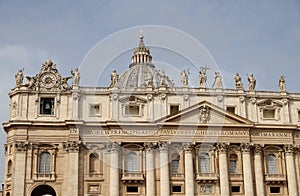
(143,135)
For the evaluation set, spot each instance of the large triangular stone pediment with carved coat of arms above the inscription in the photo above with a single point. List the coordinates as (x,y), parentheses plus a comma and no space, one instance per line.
(204,114)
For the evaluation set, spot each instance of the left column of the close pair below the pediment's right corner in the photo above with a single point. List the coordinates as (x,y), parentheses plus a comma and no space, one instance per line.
(247,169)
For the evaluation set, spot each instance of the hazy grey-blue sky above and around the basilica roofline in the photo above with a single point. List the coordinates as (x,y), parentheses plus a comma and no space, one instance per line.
(259,37)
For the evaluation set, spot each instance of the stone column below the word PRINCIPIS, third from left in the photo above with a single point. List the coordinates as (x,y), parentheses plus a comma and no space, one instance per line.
(114,170)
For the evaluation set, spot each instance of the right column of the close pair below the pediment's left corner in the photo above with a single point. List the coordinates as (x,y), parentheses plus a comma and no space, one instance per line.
(164,170)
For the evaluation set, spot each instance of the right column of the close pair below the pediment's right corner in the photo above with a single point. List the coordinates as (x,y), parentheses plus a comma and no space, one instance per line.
(258,170)
